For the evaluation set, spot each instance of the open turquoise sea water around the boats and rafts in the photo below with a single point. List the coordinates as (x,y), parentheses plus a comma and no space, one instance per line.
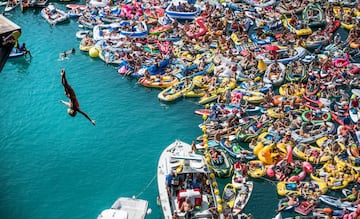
(54,166)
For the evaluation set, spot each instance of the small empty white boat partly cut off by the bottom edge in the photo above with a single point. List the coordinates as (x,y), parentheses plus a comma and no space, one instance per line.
(126,208)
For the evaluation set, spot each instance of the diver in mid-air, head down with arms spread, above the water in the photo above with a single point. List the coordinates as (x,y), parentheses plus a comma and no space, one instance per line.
(73,104)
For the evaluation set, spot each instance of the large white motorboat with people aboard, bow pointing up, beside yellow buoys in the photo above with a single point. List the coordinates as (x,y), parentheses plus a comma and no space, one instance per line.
(188,171)
